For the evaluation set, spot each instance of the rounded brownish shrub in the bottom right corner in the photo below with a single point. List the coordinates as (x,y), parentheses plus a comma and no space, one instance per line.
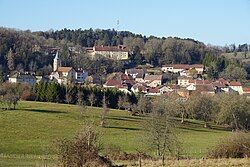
(235,146)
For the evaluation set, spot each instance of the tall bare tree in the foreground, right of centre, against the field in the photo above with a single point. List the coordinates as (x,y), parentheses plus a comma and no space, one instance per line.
(159,131)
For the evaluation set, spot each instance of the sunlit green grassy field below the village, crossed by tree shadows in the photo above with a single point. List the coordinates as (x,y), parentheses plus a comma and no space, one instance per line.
(32,129)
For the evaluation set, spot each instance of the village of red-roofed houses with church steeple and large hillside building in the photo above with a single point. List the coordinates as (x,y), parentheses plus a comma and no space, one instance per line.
(148,81)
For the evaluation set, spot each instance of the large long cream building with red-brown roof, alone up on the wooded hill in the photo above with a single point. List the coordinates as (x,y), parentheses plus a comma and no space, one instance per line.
(119,52)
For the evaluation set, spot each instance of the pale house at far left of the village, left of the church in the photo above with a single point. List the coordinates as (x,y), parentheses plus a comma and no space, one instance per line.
(23,78)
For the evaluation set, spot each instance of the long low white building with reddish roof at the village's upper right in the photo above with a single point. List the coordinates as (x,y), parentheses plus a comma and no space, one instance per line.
(177,68)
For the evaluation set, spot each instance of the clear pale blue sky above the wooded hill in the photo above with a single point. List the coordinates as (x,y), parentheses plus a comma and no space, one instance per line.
(215,22)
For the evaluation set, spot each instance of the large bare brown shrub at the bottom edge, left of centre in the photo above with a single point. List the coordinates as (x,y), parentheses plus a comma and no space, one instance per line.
(82,151)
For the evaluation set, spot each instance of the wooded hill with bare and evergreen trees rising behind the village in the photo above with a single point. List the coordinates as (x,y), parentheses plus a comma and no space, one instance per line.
(30,51)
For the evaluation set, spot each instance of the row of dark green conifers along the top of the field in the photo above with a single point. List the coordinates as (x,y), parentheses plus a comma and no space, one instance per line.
(75,94)
